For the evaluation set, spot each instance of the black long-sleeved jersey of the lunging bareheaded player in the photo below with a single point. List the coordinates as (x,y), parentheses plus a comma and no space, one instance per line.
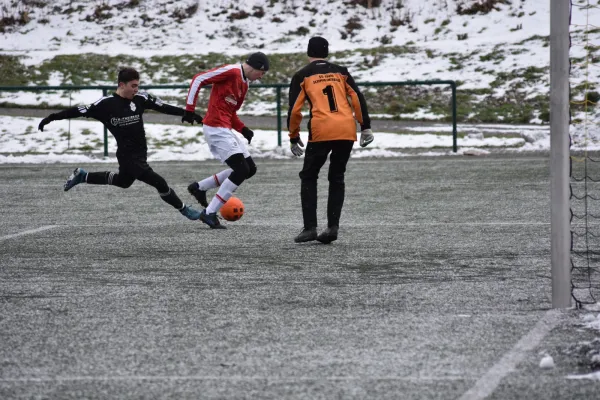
(123,118)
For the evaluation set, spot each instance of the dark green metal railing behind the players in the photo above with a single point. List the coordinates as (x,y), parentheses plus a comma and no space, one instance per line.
(278,87)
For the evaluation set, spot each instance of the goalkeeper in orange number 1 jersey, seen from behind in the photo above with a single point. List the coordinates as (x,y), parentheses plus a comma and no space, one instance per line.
(331,129)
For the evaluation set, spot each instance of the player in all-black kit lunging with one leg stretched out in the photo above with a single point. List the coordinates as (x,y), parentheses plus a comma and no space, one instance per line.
(122,113)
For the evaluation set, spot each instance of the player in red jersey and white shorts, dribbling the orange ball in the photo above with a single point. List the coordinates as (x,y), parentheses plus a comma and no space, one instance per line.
(229,88)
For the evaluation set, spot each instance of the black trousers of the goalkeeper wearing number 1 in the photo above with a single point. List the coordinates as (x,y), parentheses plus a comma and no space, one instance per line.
(314,158)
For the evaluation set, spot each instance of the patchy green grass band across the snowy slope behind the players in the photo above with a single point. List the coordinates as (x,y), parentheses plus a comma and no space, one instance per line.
(479,105)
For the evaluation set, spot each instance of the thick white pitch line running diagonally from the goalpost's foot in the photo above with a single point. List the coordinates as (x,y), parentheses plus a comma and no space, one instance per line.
(507,364)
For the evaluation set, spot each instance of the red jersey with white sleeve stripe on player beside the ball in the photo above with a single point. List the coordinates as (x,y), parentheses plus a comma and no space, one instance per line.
(229,88)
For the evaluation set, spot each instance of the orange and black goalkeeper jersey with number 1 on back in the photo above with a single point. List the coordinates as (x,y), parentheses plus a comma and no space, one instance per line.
(335,103)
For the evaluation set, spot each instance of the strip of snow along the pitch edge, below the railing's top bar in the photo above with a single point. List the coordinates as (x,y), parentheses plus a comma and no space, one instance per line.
(74,140)
